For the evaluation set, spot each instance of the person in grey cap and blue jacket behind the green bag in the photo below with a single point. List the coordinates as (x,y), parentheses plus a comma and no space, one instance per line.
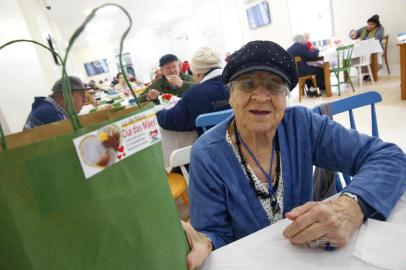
(50,109)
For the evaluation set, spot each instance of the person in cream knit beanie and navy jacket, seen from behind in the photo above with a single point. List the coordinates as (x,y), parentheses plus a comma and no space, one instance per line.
(208,95)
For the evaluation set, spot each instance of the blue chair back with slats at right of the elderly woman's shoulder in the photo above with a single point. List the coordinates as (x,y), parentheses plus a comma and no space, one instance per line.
(348,104)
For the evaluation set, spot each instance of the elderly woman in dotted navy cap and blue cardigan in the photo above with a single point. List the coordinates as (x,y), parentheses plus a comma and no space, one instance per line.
(256,168)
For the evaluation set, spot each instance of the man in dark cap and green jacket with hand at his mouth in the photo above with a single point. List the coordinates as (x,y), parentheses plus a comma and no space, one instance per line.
(172,81)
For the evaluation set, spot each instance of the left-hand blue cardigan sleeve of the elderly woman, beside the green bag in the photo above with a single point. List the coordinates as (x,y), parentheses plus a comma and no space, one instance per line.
(208,207)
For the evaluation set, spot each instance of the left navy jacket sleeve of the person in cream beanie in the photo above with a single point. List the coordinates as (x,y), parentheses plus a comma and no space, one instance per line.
(177,118)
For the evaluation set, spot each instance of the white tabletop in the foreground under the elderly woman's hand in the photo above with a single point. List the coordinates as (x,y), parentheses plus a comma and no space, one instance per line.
(267,249)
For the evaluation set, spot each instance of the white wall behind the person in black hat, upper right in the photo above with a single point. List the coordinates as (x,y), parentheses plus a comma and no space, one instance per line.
(348,14)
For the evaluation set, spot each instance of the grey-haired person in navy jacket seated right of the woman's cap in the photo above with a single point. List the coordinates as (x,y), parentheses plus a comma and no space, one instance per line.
(301,49)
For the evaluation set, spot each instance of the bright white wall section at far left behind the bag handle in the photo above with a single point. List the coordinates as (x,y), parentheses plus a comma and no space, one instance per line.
(22,74)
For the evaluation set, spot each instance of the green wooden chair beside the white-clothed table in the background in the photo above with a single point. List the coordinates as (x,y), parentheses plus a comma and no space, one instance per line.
(344,54)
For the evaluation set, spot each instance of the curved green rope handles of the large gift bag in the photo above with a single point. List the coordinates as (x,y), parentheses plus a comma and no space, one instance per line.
(66,89)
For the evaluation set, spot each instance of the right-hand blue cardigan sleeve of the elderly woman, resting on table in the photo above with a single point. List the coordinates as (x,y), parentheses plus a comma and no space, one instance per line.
(378,168)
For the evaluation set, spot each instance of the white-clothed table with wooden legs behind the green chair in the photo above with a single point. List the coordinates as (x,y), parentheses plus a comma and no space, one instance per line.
(365,47)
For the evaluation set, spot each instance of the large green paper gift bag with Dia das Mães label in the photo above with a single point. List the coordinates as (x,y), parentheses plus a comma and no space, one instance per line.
(52,217)
